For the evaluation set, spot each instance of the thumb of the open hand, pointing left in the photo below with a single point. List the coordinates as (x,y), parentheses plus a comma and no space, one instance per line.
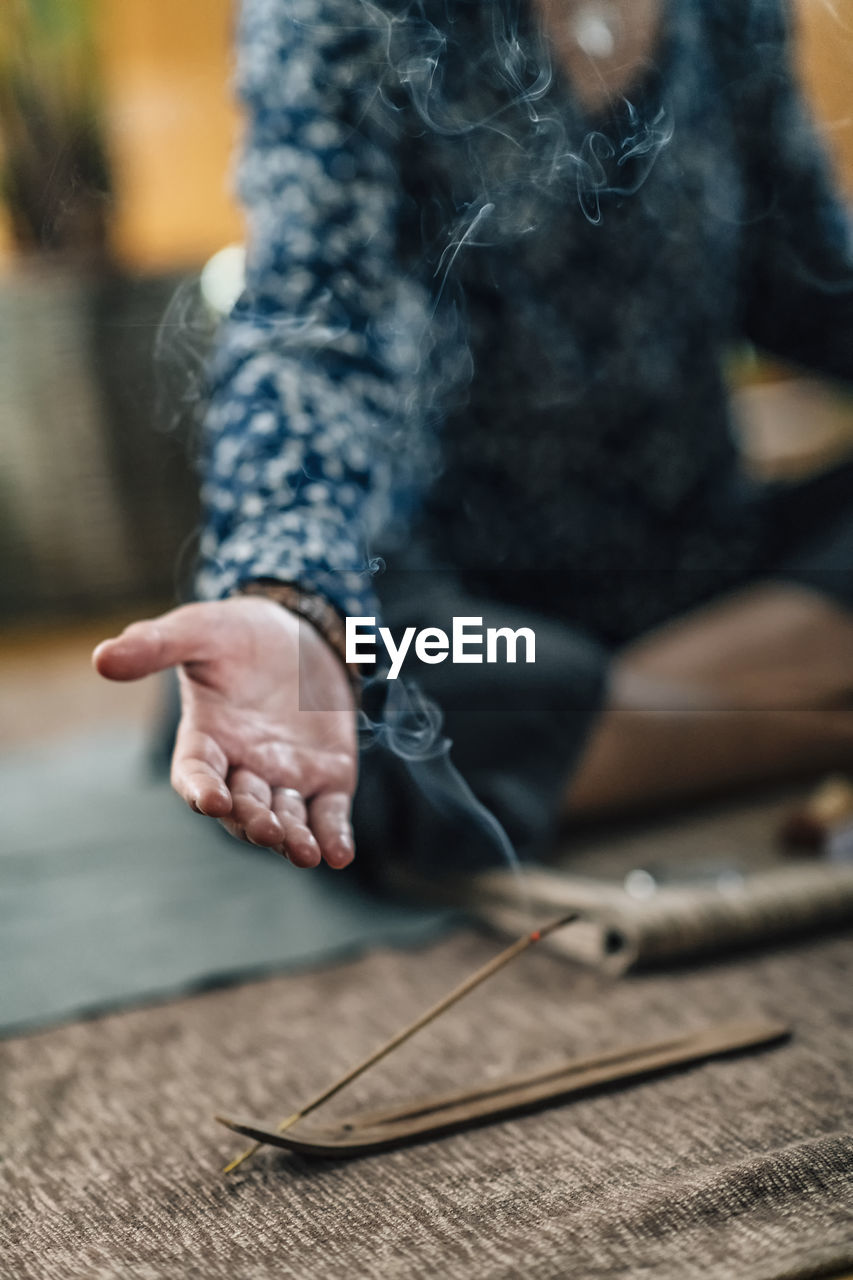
(154,646)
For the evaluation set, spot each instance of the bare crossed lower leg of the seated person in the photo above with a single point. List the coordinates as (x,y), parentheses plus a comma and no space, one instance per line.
(751,689)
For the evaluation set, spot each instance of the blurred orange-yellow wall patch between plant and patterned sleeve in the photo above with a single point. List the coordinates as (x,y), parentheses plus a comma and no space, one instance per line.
(172,130)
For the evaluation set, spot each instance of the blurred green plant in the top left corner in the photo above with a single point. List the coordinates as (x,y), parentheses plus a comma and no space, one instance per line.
(54,173)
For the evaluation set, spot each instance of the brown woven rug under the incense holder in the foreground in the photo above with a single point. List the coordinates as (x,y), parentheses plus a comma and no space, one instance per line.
(742,1168)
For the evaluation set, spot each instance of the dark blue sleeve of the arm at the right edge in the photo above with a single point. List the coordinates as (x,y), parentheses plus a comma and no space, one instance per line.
(800,252)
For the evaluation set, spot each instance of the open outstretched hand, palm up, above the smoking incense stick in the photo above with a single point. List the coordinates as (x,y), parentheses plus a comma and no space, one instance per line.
(267,742)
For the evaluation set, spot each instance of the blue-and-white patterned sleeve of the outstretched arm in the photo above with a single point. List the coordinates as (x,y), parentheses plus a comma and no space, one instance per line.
(311,376)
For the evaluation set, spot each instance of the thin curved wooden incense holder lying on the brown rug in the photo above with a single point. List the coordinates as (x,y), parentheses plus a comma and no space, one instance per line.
(430,1118)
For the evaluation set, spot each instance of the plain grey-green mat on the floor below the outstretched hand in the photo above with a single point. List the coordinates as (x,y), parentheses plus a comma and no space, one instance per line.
(112,893)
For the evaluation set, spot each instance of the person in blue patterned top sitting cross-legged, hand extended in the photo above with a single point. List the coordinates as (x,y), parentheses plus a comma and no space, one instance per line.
(499,254)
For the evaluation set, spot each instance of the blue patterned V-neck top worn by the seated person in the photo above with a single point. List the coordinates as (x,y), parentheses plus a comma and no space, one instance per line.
(485,321)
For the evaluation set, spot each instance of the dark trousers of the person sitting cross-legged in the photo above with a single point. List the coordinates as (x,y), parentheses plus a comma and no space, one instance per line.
(516,732)
